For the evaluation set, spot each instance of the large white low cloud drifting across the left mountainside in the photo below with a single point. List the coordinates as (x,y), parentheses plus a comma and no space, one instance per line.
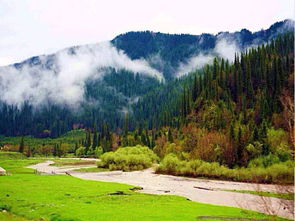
(64,82)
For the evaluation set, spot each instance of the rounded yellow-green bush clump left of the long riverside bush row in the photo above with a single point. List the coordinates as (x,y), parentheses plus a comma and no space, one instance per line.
(128,159)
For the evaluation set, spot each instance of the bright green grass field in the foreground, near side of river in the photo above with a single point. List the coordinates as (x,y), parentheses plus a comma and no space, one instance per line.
(60,197)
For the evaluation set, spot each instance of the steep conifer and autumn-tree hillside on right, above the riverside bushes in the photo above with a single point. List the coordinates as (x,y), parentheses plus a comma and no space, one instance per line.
(232,114)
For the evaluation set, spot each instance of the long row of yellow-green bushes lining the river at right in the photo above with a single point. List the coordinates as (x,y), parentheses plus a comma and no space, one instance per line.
(277,172)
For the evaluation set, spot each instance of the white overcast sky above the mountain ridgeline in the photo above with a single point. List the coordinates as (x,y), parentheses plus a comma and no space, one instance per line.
(33,27)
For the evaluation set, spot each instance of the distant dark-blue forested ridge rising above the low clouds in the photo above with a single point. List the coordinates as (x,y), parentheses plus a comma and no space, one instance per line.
(173,49)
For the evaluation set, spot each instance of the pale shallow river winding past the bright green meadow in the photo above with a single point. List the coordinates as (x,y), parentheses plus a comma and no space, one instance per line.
(200,190)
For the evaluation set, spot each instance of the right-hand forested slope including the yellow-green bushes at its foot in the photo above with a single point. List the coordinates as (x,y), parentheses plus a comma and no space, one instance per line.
(230,121)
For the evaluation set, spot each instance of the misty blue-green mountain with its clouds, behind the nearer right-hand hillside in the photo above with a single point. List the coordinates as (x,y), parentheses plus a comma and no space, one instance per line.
(100,83)
